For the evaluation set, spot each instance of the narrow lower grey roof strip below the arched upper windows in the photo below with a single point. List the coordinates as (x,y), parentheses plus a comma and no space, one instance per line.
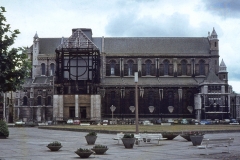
(153,81)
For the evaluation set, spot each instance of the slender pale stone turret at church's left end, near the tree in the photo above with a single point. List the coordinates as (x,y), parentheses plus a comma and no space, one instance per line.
(35,55)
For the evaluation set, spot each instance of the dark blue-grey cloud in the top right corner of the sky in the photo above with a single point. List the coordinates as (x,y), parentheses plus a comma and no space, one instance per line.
(223,8)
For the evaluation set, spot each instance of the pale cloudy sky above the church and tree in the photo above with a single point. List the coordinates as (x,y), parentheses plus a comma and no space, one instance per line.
(132,18)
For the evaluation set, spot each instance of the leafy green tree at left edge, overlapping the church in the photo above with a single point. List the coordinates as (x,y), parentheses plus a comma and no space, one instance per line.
(14,65)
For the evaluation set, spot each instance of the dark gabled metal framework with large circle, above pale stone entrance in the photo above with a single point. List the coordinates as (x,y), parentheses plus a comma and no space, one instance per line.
(77,65)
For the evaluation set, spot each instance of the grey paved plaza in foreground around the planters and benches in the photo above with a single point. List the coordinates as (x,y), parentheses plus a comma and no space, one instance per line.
(30,144)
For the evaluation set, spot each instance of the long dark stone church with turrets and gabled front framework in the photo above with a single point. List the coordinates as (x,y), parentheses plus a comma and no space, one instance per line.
(92,78)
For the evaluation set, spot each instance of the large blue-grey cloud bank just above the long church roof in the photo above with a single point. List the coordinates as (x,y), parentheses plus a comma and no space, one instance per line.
(129,23)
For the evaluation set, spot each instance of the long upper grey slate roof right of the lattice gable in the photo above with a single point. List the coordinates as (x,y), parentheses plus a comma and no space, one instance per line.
(157,45)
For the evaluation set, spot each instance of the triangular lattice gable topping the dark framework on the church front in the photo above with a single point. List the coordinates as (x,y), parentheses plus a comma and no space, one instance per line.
(78,40)
